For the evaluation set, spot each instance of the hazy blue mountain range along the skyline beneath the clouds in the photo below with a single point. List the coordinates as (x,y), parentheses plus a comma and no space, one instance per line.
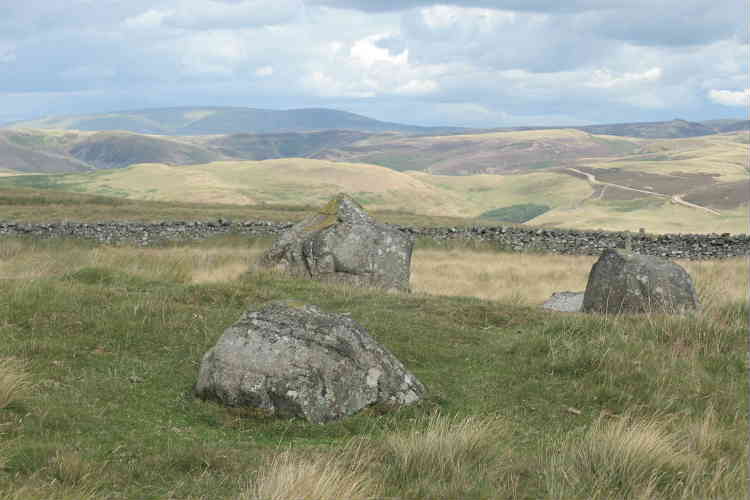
(236,120)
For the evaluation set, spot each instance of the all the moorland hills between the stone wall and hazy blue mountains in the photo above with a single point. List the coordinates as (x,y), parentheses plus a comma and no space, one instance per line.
(585,181)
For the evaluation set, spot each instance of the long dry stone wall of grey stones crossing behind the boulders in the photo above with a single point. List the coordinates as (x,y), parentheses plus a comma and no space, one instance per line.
(511,238)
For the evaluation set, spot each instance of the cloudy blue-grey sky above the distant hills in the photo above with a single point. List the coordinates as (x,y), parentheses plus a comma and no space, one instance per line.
(463,62)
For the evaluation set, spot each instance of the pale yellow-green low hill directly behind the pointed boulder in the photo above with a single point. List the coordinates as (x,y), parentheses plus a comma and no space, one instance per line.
(312,182)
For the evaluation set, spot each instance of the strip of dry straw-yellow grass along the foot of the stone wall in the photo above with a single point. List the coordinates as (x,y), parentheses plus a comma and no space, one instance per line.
(513,278)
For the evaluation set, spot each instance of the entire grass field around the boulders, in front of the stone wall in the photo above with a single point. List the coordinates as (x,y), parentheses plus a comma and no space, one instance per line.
(101,346)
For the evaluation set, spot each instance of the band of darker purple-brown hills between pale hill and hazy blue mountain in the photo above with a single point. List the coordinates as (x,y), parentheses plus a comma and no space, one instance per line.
(56,151)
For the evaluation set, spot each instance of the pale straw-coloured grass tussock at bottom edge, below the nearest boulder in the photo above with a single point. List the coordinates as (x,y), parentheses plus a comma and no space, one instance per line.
(292,476)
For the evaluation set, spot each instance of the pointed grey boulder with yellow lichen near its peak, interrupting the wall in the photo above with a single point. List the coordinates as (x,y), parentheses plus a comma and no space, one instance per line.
(342,243)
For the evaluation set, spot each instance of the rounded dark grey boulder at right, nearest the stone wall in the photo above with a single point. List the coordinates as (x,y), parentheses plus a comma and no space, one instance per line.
(622,281)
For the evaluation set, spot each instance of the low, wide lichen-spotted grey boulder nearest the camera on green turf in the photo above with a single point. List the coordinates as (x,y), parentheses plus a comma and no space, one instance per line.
(293,360)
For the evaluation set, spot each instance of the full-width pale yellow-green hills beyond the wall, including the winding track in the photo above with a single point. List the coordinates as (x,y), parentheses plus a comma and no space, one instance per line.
(701,189)
